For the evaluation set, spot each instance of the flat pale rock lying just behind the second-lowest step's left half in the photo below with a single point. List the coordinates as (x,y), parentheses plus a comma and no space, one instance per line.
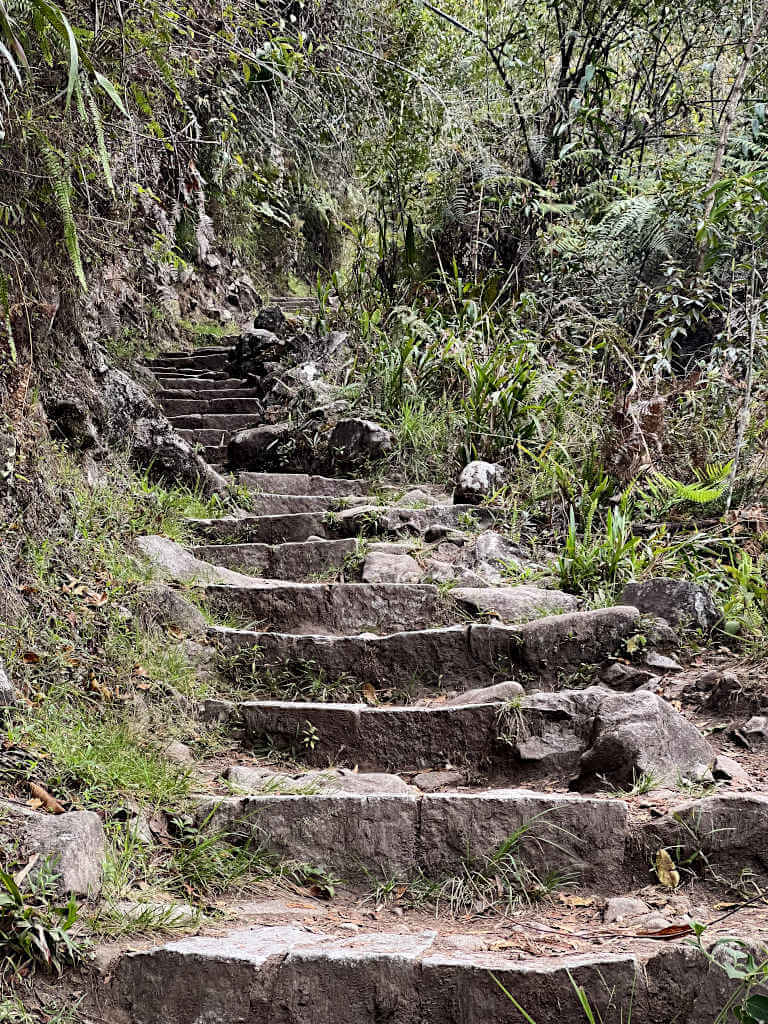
(330,781)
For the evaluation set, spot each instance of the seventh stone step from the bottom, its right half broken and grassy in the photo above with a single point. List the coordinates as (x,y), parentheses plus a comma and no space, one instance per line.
(368,521)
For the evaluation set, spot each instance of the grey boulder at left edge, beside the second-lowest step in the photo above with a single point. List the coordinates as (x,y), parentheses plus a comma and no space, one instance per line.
(73,844)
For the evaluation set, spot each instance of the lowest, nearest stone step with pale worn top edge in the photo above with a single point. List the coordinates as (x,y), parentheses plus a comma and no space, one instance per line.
(434,974)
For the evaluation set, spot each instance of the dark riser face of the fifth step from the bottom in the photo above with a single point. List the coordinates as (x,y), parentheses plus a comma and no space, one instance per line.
(335,609)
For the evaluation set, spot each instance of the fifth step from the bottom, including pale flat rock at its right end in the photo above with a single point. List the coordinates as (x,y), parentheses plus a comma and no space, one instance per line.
(375,608)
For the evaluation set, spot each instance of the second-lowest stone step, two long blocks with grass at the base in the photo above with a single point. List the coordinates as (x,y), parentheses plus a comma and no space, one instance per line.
(435,834)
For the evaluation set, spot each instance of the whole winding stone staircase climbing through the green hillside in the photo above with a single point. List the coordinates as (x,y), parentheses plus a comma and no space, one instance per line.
(463,782)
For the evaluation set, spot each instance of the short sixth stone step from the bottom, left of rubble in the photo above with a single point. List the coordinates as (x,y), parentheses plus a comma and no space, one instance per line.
(280,562)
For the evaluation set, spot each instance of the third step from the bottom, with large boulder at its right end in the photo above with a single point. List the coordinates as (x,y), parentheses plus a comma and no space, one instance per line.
(584,739)
